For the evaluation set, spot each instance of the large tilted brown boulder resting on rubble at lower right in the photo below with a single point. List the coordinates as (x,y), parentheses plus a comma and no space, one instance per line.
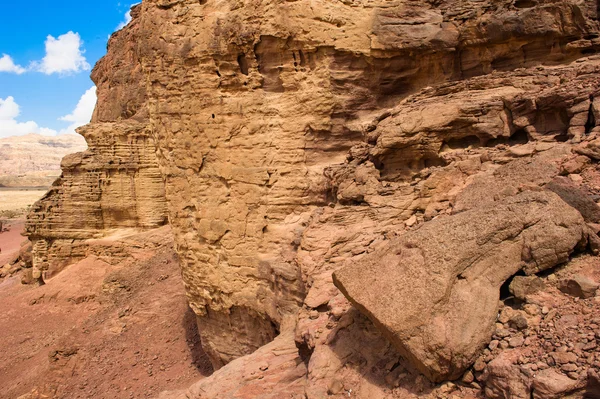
(434,291)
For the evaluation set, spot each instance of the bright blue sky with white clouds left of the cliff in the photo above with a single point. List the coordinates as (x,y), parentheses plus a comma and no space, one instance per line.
(47,51)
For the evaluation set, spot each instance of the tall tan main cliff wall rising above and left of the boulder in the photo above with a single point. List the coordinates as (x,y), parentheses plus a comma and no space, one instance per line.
(253,104)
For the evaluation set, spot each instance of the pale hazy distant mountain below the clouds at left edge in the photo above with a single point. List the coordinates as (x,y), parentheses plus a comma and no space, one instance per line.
(34,160)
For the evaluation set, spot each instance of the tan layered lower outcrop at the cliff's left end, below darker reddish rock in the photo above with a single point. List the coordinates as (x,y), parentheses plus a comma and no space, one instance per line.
(114,184)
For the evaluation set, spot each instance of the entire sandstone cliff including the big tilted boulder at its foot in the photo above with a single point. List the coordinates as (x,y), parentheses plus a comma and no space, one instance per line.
(414,149)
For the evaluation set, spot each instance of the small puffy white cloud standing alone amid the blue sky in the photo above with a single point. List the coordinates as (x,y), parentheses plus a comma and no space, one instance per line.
(63,55)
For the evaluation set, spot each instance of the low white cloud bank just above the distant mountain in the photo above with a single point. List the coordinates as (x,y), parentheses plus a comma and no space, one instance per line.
(10,110)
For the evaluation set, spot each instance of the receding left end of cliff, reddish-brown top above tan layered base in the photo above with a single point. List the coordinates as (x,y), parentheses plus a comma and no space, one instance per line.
(114,184)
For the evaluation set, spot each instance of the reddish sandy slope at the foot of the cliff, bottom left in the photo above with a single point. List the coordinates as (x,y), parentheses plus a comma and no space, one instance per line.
(101,331)
